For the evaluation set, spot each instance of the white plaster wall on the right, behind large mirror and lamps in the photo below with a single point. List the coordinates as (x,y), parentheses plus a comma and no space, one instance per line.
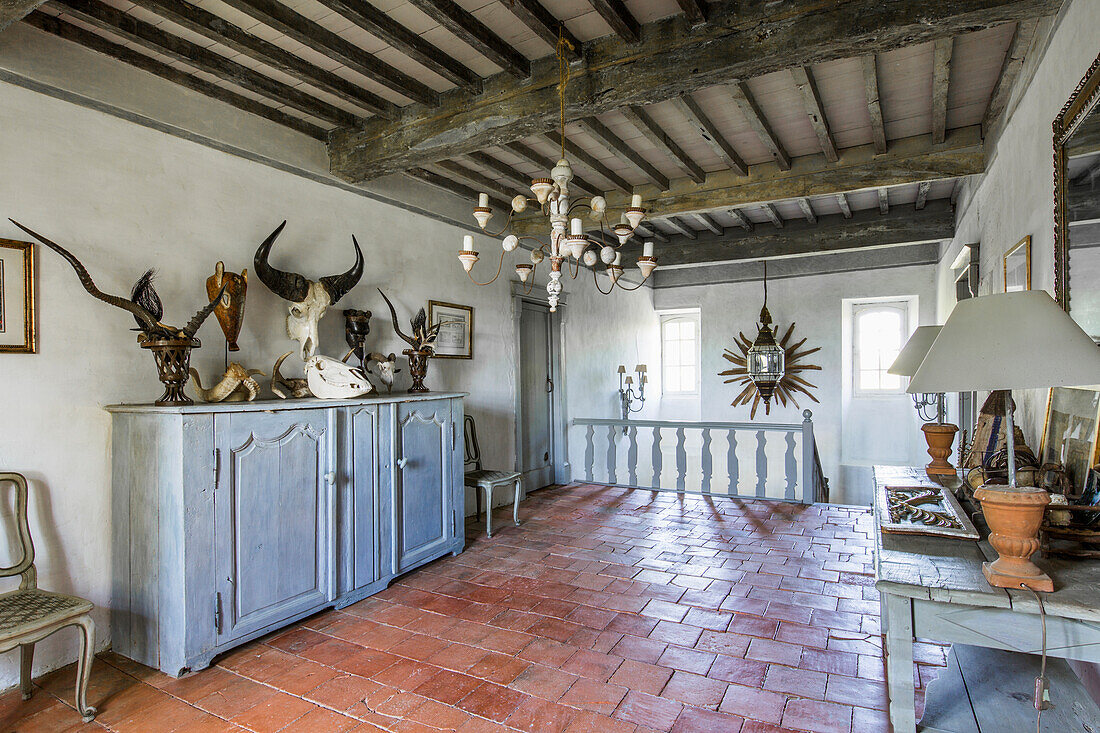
(1016,195)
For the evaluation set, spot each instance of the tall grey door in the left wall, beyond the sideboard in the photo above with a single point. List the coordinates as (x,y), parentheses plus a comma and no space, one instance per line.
(536,398)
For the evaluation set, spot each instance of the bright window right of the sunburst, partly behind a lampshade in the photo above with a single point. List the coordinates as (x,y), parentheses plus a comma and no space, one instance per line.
(879,332)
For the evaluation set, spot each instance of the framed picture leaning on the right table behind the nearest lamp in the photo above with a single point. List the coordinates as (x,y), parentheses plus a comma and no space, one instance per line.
(1070,432)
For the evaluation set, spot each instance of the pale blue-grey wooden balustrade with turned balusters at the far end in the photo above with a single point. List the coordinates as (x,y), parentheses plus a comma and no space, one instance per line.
(780,461)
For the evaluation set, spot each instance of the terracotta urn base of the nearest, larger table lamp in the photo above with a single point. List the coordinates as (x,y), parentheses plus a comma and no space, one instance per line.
(1015,516)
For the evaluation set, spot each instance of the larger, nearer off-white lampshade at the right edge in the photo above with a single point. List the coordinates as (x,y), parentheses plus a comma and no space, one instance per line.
(1008,342)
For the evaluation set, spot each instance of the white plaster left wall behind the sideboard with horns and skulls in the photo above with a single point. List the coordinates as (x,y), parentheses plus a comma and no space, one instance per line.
(125,198)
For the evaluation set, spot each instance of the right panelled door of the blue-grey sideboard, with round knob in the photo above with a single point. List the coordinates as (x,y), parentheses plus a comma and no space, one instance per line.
(424,520)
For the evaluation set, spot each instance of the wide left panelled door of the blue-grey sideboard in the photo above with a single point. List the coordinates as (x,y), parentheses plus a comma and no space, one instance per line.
(273,518)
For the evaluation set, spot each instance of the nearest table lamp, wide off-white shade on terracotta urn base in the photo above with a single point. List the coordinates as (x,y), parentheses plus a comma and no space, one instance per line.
(1010,342)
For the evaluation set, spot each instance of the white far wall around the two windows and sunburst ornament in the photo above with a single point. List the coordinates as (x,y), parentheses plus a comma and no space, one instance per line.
(815,304)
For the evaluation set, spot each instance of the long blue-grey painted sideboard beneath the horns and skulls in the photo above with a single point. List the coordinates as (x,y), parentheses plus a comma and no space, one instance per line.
(230,521)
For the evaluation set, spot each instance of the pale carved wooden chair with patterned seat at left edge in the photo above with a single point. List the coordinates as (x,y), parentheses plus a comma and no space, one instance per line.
(29,616)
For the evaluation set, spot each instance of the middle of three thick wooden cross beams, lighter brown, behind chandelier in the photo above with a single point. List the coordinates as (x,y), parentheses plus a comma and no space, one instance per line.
(910,160)
